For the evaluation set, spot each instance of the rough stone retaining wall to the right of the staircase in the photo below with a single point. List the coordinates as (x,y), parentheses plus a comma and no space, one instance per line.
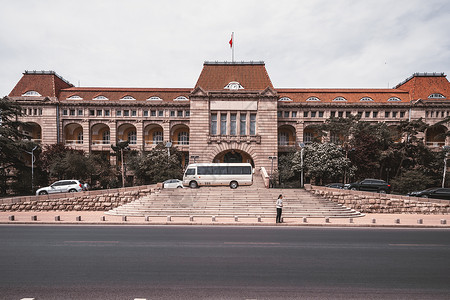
(367,202)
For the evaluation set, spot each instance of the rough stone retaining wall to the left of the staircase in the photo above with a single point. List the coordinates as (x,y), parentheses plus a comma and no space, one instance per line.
(100,200)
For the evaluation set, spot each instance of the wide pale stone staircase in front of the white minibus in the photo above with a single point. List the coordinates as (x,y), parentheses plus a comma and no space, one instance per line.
(245,201)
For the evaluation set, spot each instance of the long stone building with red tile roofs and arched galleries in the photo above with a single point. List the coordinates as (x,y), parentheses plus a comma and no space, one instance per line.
(232,114)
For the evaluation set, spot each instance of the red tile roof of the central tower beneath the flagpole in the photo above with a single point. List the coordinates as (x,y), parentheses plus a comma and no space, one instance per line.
(217,75)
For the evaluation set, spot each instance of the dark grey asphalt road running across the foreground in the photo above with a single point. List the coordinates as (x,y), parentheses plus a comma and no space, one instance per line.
(171,262)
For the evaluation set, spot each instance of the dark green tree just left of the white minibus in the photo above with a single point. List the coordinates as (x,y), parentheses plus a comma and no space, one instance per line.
(156,165)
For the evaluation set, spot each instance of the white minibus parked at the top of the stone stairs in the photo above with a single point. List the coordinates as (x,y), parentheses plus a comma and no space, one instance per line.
(232,174)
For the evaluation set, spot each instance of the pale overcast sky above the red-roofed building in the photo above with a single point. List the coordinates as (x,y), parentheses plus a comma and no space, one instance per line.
(304,43)
